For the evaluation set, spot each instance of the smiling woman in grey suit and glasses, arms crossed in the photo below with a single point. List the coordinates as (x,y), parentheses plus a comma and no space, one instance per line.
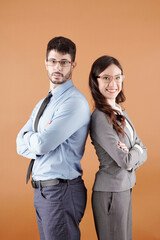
(119,150)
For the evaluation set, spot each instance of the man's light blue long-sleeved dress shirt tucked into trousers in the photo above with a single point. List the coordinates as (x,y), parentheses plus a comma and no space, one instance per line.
(61,144)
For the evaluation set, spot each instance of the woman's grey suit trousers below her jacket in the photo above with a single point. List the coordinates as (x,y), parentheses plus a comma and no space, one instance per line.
(113,215)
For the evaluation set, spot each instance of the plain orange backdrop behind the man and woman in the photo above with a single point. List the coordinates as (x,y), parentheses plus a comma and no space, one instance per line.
(126,29)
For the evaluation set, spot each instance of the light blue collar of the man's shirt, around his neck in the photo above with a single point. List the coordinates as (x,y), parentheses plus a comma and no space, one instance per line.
(62,88)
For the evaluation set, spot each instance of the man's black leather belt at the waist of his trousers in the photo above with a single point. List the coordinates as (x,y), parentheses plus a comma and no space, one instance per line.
(47,183)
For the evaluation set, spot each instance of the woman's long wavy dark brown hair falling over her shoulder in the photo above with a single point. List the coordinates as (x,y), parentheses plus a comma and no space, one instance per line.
(101,104)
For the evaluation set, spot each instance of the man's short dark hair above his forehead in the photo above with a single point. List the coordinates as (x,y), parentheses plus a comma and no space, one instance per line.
(62,45)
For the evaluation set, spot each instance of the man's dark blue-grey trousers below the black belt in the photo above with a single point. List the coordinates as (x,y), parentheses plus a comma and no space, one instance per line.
(59,209)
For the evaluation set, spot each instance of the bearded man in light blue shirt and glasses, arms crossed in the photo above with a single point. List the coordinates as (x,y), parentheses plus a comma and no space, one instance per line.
(57,146)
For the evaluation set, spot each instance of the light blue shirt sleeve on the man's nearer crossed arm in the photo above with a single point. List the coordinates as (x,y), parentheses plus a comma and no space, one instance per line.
(70,117)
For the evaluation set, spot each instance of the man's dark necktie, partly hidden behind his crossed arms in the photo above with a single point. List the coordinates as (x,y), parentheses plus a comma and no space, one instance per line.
(39,114)
